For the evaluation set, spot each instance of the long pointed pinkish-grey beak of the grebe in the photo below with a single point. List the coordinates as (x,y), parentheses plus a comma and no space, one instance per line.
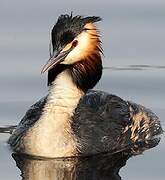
(57,58)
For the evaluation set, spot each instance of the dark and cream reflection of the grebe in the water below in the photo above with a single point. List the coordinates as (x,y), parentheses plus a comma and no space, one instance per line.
(105,166)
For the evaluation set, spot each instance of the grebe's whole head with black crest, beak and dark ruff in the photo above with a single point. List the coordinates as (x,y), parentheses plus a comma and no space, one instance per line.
(76,46)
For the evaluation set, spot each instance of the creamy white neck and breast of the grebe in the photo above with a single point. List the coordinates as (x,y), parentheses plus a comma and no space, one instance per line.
(51,136)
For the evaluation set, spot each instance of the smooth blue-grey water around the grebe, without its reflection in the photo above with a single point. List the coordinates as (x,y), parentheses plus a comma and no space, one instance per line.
(133,33)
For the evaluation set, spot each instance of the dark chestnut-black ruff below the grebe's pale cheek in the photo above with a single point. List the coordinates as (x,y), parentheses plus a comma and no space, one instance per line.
(85,74)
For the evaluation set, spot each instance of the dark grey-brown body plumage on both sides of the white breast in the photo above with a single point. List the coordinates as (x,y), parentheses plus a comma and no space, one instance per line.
(102,123)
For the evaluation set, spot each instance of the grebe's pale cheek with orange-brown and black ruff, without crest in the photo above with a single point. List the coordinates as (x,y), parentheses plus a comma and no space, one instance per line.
(86,68)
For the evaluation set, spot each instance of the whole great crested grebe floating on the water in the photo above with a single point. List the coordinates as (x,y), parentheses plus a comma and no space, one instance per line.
(73,120)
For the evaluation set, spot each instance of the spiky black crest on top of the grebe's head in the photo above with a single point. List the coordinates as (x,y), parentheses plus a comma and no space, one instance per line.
(68,27)
